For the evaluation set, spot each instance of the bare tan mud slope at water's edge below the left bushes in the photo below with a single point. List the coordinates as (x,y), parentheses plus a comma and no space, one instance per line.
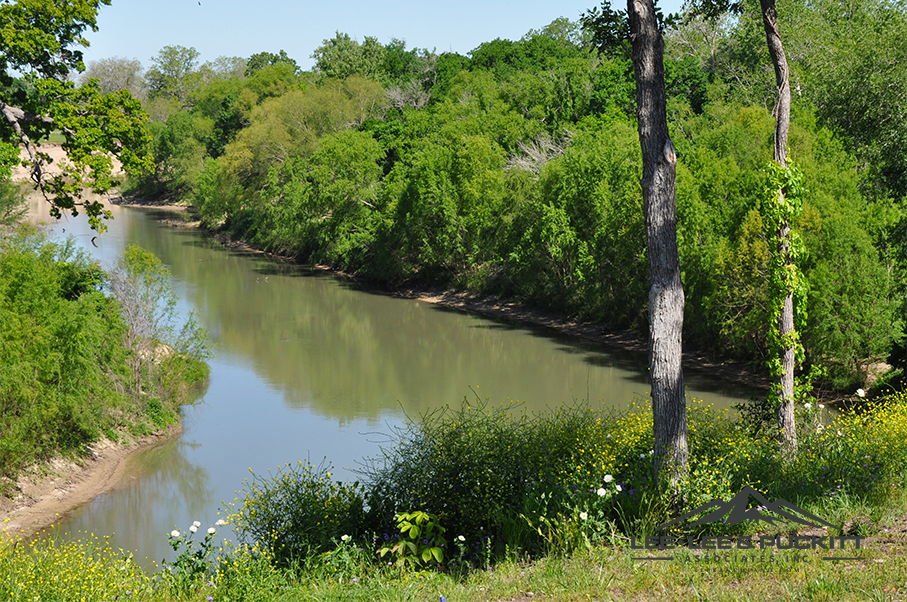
(48,491)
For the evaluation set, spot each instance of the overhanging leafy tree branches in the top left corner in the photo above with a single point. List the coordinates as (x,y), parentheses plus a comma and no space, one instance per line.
(38,52)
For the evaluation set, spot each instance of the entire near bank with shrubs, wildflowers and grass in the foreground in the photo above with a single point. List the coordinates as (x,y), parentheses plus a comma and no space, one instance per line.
(478,504)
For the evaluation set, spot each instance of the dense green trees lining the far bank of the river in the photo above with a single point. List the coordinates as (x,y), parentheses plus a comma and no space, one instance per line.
(514,171)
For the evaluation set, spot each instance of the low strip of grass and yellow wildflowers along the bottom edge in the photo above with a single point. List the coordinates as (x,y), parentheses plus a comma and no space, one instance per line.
(89,570)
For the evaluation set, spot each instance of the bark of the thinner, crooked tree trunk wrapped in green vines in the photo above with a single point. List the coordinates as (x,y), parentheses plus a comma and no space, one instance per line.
(785,383)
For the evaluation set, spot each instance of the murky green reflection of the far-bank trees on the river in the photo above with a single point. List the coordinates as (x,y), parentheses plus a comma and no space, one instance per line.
(347,354)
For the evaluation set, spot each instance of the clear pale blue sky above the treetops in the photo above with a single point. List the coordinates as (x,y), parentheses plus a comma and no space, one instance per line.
(140,28)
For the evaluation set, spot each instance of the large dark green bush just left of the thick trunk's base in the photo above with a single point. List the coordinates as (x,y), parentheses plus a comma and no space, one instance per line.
(479,469)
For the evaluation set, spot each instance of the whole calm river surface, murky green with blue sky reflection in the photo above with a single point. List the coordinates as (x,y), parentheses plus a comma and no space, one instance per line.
(308,366)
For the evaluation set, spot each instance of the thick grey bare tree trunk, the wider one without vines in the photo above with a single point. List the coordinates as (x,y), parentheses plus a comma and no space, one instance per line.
(666,289)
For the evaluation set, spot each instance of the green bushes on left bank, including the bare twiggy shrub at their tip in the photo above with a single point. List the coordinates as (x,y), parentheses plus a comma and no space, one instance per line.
(64,377)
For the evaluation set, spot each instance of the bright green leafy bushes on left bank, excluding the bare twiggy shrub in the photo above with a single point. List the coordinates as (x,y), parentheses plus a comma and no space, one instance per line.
(61,354)
